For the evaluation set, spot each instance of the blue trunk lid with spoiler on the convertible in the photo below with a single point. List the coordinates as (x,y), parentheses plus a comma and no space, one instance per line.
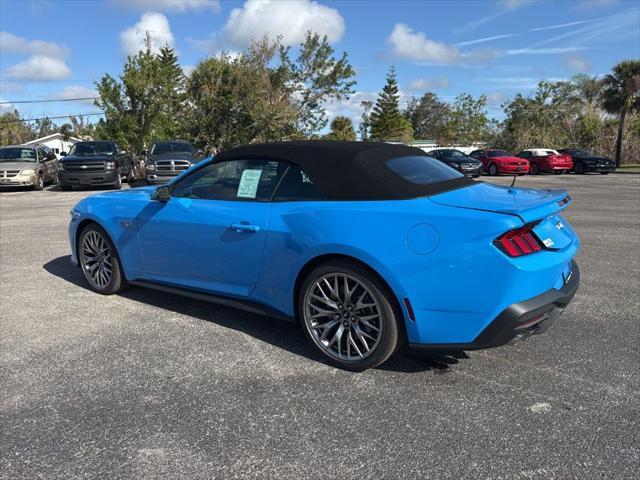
(527,203)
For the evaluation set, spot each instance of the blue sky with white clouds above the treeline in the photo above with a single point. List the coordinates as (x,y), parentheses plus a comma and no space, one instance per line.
(58,49)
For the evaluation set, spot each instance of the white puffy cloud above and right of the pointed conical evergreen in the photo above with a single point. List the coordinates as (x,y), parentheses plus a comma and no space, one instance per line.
(410,45)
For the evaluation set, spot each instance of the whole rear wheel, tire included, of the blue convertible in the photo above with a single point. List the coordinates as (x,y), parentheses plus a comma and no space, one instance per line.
(368,348)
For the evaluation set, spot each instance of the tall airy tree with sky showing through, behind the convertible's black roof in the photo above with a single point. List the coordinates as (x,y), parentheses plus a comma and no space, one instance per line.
(314,78)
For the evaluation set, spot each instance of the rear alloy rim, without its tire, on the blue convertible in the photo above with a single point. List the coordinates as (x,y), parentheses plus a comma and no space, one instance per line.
(343,317)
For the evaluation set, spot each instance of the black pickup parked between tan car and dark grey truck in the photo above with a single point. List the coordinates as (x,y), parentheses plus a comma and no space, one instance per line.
(95,163)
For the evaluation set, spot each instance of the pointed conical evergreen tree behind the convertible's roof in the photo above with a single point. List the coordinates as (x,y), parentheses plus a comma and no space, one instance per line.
(387,123)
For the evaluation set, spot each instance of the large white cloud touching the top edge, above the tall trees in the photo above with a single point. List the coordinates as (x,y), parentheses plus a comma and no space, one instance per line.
(290,20)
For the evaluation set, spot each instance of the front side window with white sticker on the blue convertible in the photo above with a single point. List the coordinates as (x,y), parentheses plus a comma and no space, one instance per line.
(248,180)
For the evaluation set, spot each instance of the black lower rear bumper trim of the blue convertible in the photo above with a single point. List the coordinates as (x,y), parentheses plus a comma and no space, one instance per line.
(517,321)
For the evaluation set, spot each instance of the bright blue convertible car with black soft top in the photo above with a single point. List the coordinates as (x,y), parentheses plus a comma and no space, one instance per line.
(366,245)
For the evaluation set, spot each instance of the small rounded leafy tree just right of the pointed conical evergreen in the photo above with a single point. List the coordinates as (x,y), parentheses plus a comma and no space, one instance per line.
(428,115)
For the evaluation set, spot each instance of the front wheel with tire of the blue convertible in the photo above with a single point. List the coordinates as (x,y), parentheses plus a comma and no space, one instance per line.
(95,248)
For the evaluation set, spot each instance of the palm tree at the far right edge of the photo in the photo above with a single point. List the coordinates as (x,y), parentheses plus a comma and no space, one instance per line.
(621,95)
